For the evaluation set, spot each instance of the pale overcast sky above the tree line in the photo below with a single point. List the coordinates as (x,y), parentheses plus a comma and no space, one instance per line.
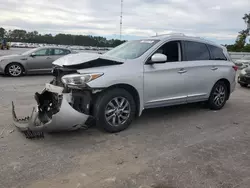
(219,20)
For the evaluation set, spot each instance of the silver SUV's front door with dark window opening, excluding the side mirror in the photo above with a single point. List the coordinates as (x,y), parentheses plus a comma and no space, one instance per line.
(166,83)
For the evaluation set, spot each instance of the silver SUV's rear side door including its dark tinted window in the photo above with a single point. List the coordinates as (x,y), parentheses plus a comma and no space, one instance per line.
(200,70)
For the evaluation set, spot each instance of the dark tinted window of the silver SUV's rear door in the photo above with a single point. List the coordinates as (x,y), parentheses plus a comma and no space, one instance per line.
(196,51)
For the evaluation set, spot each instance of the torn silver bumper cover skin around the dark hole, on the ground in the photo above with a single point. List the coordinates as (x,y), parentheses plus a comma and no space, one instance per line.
(66,118)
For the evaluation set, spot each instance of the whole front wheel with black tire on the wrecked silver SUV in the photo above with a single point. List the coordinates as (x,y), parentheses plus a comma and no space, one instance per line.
(115,110)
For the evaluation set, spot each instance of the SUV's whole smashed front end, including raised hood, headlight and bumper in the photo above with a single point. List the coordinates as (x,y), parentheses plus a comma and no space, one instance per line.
(67,101)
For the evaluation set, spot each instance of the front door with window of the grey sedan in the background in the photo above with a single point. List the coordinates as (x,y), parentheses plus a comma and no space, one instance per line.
(41,61)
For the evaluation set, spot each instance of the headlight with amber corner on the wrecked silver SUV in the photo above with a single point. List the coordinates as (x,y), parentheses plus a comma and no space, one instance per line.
(79,80)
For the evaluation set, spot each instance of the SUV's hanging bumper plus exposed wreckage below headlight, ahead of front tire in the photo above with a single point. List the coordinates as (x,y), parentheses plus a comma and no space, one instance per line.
(58,109)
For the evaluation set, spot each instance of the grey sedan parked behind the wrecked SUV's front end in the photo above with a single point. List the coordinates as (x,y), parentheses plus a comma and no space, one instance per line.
(32,61)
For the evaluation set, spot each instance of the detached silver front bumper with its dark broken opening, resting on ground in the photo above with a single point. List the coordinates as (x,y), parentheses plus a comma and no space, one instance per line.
(52,114)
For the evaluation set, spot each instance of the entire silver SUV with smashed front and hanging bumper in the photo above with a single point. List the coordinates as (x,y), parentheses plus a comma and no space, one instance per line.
(117,86)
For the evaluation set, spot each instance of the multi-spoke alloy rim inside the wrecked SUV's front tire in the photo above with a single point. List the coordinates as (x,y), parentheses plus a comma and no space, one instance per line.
(117,111)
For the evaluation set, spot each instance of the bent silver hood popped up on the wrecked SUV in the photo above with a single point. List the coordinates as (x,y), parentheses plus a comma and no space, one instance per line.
(77,60)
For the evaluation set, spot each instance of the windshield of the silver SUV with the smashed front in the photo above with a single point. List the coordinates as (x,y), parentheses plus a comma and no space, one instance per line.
(131,49)
